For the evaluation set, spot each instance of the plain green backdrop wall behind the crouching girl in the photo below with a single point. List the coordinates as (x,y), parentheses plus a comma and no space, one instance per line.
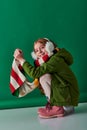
(24,21)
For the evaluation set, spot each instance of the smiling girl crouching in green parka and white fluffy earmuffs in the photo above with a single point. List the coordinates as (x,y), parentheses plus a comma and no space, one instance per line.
(58,82)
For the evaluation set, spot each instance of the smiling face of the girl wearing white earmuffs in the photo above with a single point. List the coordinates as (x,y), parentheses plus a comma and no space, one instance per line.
(40,50)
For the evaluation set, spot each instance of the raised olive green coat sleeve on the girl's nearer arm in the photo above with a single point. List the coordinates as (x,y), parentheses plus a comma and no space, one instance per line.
(52,66)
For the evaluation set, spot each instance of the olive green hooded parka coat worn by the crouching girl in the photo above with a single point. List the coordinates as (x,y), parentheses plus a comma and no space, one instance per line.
(64,85)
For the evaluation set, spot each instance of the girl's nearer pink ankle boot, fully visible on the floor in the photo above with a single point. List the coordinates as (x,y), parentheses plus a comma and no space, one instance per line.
(55,111)
